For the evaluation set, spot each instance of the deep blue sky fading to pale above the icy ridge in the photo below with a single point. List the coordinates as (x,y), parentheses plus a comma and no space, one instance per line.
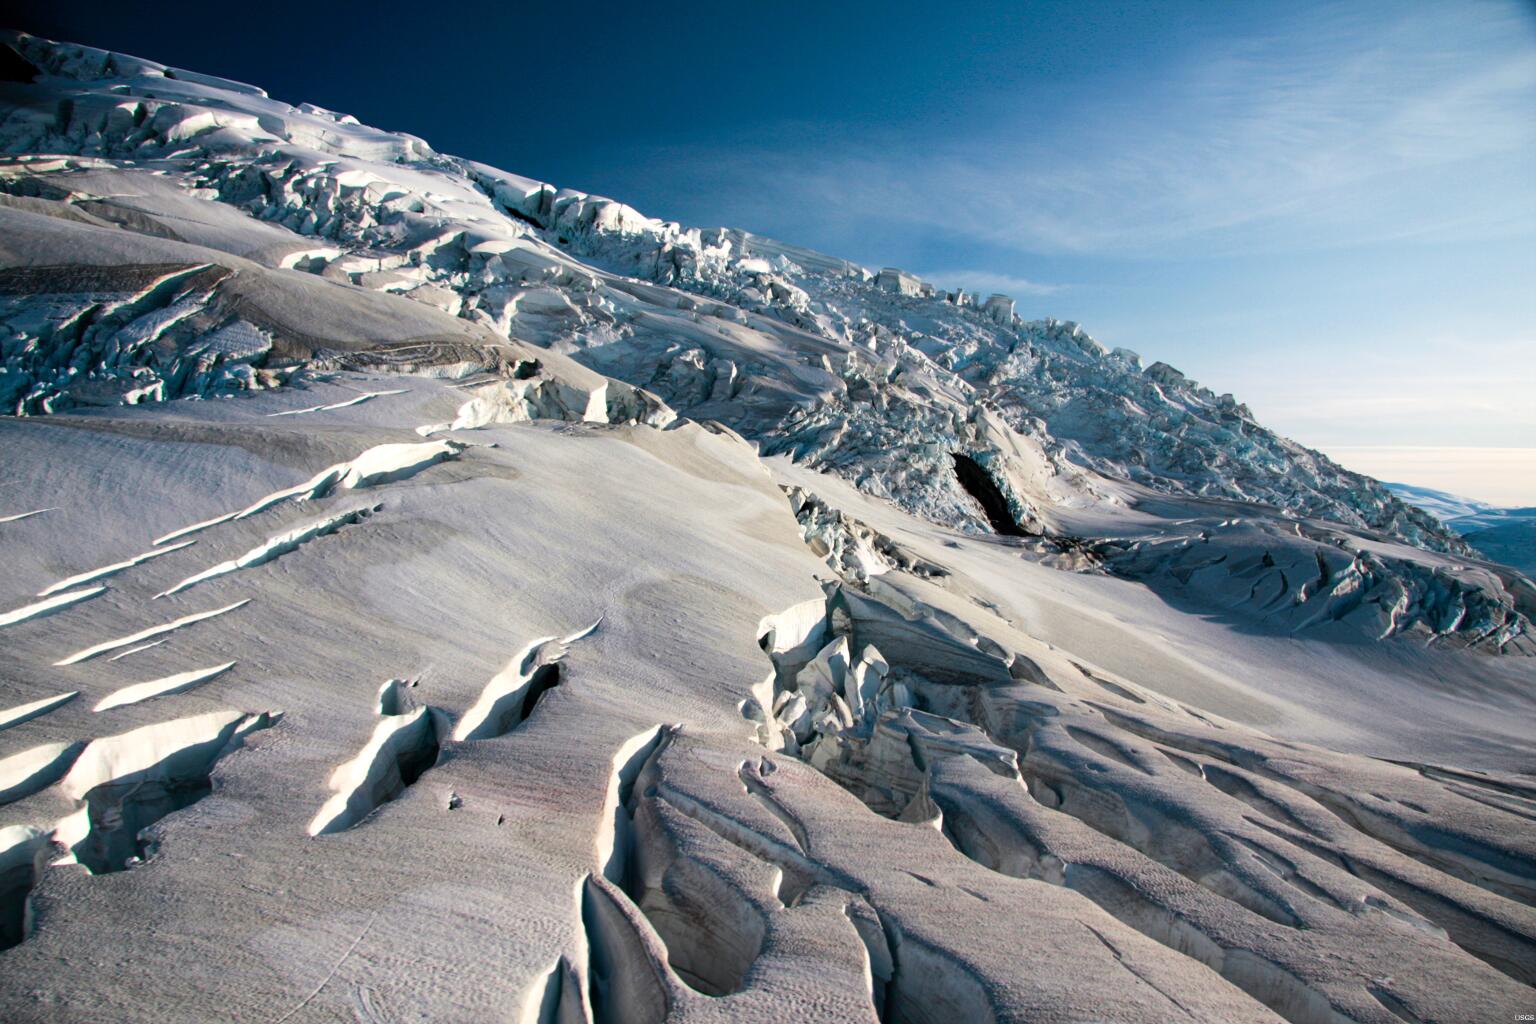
(1328,210)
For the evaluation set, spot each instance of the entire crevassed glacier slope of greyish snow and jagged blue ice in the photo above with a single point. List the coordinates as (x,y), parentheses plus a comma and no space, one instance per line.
(432,595)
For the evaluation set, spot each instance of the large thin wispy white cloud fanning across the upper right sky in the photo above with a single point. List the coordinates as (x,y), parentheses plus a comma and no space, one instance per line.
(1339,128)
